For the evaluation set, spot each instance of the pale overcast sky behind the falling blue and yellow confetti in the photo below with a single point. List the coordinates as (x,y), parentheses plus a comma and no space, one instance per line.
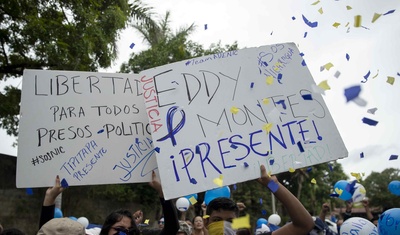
(372,48)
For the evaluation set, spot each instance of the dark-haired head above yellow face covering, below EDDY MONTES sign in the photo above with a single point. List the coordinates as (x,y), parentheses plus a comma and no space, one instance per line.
(221,209)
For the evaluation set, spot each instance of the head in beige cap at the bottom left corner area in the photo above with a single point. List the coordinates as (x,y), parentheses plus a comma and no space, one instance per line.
(62,226)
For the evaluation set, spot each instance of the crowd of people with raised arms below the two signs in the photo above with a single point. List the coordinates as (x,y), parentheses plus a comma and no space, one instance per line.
(216,219)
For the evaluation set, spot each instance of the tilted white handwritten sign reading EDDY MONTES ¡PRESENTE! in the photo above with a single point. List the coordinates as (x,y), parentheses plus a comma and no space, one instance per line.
(218,117)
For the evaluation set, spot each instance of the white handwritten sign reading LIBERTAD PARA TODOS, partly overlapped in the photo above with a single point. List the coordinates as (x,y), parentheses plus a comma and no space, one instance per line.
(88,128)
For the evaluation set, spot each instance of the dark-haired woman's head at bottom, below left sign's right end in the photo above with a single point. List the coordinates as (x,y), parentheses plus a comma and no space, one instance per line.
(119,221)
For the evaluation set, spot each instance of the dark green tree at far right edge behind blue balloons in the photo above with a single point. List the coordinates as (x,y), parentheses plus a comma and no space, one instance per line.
(376,185)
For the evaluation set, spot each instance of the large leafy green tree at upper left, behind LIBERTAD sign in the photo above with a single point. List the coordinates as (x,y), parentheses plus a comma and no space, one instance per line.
(58,35)
